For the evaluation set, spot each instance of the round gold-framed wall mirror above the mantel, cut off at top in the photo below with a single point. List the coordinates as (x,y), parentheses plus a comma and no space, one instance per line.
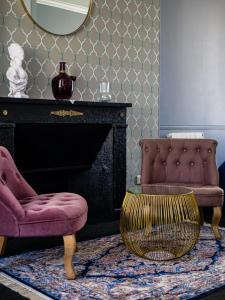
(58,16)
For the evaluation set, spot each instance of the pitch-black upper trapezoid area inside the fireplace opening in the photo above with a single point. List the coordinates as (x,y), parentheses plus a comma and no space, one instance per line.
(52,147)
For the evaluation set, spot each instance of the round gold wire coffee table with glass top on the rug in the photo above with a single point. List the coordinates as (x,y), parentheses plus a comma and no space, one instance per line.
(161,222)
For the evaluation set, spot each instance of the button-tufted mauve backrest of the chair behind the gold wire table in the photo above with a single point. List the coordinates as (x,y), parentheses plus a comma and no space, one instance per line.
(179,160)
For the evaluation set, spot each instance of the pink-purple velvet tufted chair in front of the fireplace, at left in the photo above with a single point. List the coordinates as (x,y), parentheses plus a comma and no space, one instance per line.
(23,213)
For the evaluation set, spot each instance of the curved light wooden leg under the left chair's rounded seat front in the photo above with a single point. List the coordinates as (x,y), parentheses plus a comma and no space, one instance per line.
(69,249)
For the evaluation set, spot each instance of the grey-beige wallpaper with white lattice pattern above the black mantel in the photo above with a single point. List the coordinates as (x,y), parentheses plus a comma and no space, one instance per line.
(119,43)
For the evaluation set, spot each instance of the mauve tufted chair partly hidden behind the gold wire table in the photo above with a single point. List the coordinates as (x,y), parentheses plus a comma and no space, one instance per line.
(184,162)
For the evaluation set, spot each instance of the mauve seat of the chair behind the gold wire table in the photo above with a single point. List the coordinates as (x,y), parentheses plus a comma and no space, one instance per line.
(206,195)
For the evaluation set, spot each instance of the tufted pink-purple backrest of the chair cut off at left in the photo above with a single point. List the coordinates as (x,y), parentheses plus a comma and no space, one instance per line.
(13,186)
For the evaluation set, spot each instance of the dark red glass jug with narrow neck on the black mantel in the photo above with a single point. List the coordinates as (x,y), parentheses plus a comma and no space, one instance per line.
(62,84)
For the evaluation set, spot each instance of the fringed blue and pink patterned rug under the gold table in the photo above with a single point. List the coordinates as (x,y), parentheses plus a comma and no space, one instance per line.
(106,270)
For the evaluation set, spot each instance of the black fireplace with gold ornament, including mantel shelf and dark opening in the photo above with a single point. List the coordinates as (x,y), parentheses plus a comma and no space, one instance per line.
(76,147)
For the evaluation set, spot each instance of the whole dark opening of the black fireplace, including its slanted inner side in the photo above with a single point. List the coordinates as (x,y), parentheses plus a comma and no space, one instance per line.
(74,158)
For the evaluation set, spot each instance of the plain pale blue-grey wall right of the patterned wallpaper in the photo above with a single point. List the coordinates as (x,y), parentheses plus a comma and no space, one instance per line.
(192,75)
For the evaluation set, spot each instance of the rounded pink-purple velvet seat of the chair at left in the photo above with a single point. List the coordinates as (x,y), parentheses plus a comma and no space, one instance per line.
(52,214)
